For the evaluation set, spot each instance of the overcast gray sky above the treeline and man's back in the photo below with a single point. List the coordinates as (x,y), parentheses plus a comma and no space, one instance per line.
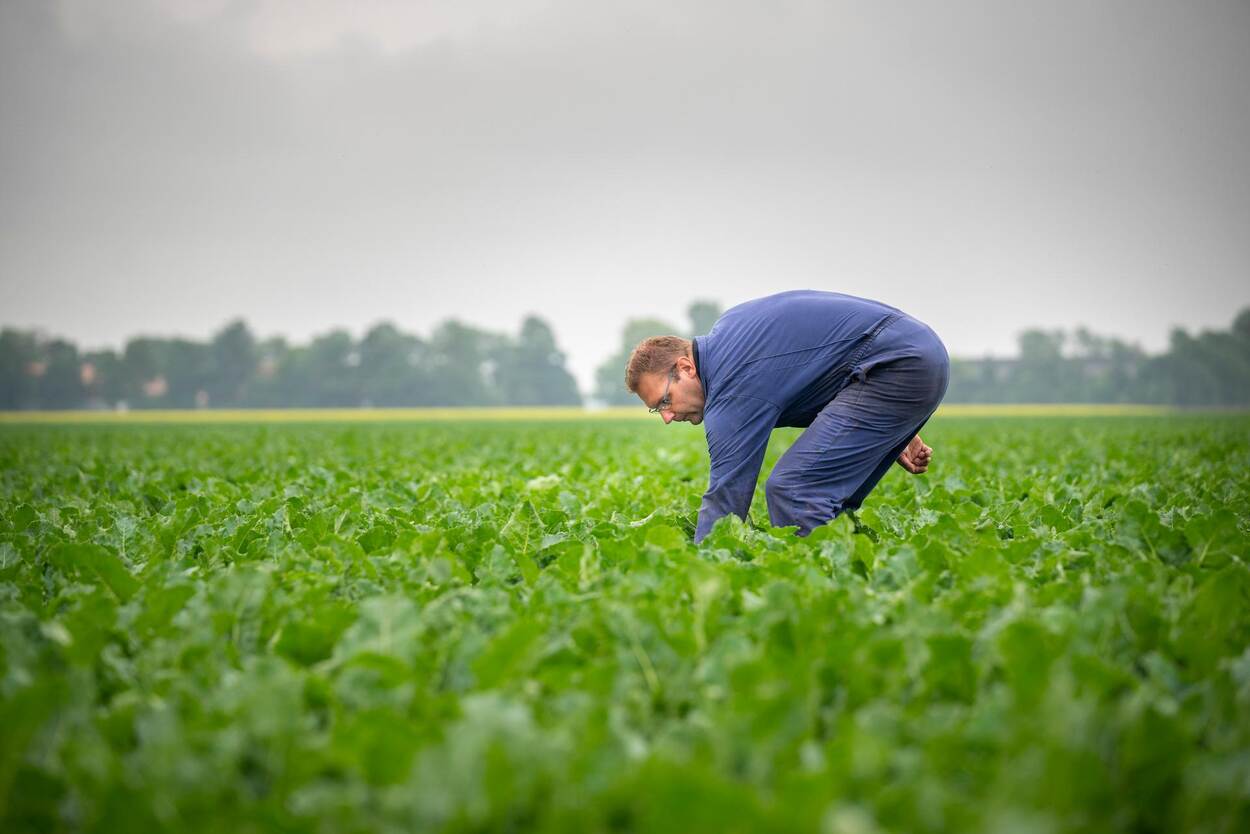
(167,166)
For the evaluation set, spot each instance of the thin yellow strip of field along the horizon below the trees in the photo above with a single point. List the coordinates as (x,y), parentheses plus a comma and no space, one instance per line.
(542,414)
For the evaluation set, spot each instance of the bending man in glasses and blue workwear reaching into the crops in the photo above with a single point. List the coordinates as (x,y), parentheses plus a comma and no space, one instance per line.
(862,377)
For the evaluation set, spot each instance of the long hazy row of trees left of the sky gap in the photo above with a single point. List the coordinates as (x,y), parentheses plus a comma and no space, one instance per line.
(456,366)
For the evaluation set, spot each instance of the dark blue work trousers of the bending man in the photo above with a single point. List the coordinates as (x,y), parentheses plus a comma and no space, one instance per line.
(856,440)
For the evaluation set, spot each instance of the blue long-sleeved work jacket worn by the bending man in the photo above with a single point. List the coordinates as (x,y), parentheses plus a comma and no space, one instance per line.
(778,362)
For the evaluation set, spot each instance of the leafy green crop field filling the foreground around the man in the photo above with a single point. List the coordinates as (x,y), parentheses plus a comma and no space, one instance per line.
(506,627)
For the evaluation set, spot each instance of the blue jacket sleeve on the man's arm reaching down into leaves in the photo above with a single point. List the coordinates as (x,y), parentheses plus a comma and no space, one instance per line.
(738,435)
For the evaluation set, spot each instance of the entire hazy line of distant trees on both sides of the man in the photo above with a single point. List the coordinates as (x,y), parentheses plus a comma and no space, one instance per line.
(464,366)
